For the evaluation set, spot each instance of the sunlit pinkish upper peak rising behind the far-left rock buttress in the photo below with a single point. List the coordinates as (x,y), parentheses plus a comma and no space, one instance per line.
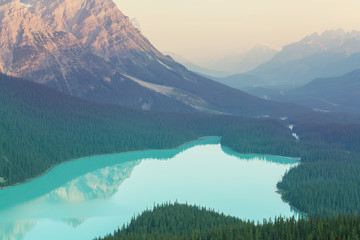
(98,24)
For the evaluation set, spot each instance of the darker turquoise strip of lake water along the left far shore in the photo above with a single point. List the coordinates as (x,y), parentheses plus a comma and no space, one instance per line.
(64,173)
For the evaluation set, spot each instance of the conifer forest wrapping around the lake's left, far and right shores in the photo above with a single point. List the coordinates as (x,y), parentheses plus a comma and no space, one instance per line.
(41,127)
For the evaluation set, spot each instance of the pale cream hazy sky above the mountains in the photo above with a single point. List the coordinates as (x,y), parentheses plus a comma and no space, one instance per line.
(200,30)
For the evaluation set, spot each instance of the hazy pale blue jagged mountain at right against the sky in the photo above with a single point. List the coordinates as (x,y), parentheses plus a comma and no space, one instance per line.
(332,53)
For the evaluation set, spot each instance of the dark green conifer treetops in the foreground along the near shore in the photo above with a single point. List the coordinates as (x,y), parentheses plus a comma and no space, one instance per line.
(179,221)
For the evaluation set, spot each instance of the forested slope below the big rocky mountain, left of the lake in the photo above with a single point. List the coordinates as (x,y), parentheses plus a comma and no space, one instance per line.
(41,127)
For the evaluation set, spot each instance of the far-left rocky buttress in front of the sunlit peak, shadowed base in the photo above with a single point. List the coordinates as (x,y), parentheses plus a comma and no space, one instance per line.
(35,51)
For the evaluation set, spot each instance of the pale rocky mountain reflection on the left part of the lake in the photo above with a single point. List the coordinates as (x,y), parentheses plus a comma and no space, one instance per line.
(100,184)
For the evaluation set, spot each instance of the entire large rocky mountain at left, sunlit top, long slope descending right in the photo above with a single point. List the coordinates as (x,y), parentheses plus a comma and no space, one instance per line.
(91,50)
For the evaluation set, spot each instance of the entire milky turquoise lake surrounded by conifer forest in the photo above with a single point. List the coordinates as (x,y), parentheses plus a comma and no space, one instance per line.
(93,196)
